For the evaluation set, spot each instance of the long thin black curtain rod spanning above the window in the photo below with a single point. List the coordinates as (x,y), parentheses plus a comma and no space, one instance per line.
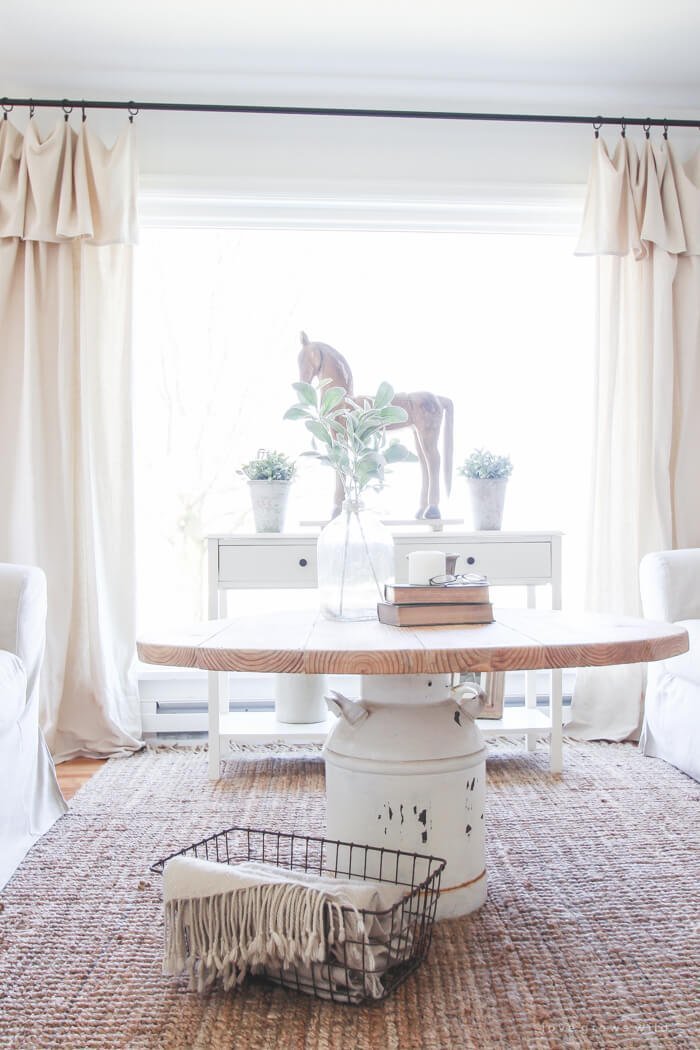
(427,115)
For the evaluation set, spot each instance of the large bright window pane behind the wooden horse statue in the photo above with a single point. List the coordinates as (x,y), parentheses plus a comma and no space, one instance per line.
(503,324)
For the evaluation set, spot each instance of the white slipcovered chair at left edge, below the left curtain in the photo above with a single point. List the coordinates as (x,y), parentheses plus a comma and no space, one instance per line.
(30,796)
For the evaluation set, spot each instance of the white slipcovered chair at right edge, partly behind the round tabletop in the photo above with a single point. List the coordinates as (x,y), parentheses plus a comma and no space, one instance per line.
(670,583)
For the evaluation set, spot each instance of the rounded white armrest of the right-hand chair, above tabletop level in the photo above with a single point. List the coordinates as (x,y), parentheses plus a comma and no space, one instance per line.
(670,585)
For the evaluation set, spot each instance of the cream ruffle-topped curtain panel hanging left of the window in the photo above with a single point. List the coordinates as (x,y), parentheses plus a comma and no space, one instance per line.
(68,223)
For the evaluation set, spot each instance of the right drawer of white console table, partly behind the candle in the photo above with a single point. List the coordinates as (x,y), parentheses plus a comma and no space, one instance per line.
(500,562)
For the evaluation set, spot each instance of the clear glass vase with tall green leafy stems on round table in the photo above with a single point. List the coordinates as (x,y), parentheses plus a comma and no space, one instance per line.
(355,550)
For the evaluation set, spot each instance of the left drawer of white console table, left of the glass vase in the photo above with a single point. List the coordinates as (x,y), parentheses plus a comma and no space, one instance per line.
(265,565)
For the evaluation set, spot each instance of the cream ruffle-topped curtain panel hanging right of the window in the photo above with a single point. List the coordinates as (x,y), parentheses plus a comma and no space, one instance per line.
(643,220)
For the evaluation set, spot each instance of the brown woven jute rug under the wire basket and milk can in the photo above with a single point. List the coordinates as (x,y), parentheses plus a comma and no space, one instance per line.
(589,938)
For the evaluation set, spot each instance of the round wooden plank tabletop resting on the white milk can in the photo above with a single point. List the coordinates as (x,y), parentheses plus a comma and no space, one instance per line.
(304,643)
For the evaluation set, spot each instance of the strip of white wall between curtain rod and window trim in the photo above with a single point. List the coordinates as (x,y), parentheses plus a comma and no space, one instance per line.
(301,149)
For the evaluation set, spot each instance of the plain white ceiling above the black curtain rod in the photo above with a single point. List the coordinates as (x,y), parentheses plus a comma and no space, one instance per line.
(593,54)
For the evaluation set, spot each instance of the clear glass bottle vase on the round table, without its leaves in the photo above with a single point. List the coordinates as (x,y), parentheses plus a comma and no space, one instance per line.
(355,562)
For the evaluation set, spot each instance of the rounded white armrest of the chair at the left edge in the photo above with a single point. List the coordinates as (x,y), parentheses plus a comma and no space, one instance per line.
(24,618)
